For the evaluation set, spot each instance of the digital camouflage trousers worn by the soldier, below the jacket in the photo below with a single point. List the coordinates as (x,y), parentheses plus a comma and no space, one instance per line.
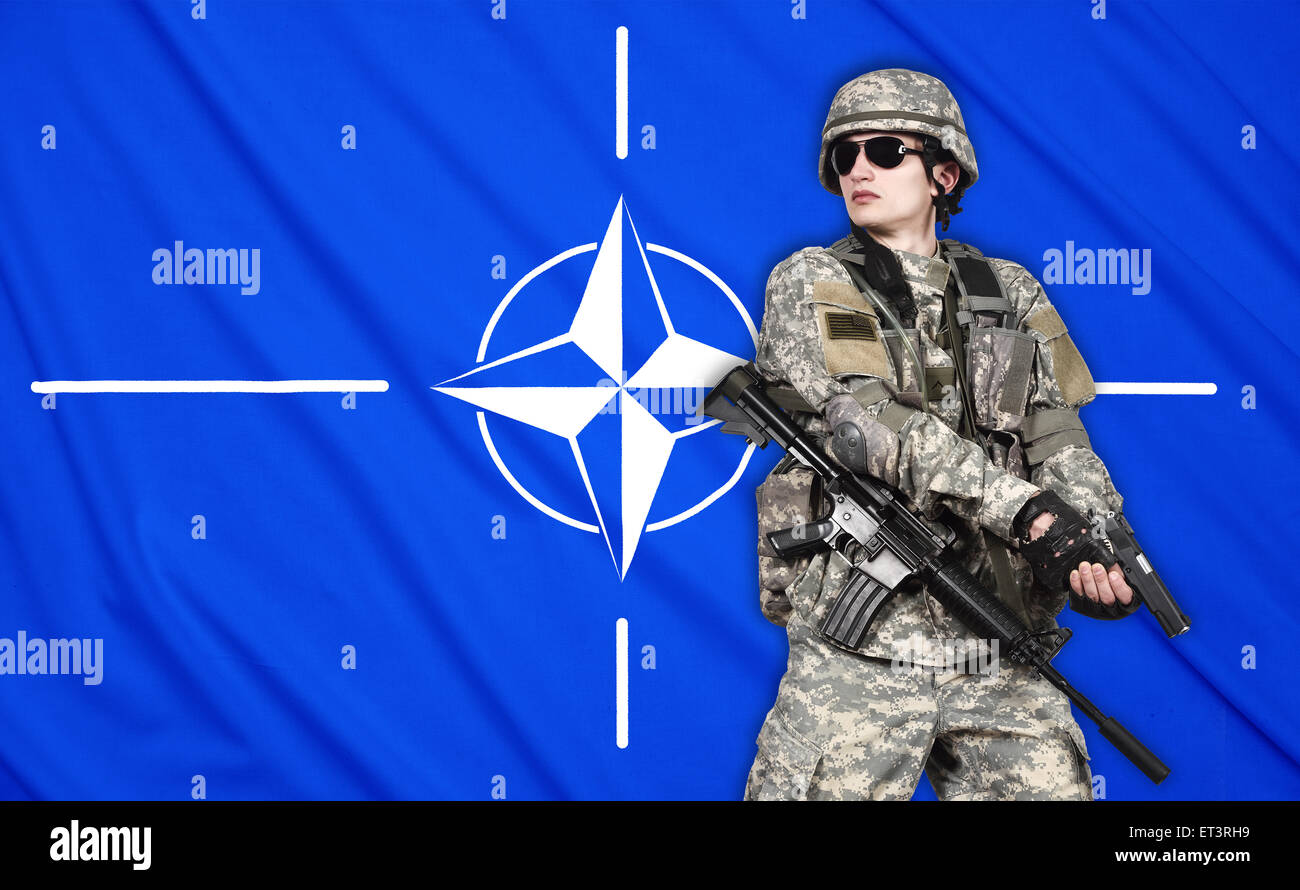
(848,727)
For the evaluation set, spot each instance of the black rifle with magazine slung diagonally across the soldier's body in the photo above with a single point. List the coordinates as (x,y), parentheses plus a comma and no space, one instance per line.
(872,527)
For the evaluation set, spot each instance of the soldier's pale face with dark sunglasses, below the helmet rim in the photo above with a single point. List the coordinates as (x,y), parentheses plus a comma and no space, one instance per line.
(889,199)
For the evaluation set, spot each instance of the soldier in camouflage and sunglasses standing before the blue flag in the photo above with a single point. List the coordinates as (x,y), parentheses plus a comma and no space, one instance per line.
(951,376)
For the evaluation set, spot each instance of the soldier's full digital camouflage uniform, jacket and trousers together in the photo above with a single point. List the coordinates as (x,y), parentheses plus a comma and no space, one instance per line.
(865,723)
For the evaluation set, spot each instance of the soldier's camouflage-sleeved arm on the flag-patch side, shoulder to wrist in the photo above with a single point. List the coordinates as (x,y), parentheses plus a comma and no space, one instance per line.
(909,449)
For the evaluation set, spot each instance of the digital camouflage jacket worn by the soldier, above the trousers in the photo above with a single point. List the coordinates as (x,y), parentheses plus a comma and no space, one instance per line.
(805,344)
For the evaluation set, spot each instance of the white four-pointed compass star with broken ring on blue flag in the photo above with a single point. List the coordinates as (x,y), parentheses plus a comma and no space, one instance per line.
(600,332)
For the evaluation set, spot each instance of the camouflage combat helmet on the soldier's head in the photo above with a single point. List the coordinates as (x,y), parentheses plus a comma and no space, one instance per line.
(898,99)
